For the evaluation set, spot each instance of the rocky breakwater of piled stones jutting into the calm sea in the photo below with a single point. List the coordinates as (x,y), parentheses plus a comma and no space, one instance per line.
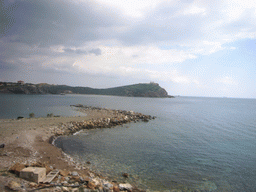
(111,118)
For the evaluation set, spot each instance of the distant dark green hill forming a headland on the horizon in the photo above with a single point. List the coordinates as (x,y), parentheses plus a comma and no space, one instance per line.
(136,90)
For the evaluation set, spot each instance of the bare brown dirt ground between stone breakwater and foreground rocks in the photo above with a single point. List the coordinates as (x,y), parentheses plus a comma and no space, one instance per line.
(27,141)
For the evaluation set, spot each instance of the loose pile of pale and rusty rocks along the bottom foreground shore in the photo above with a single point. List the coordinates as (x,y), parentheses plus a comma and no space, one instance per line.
(69,181)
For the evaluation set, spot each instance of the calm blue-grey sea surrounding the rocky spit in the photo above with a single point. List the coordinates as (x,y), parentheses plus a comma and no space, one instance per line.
(194,144)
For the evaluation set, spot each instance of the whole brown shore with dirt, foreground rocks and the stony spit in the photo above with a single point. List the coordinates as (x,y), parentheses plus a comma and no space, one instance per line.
(28,142)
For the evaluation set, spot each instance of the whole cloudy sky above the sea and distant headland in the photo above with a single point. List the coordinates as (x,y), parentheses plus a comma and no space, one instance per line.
(190,47)
